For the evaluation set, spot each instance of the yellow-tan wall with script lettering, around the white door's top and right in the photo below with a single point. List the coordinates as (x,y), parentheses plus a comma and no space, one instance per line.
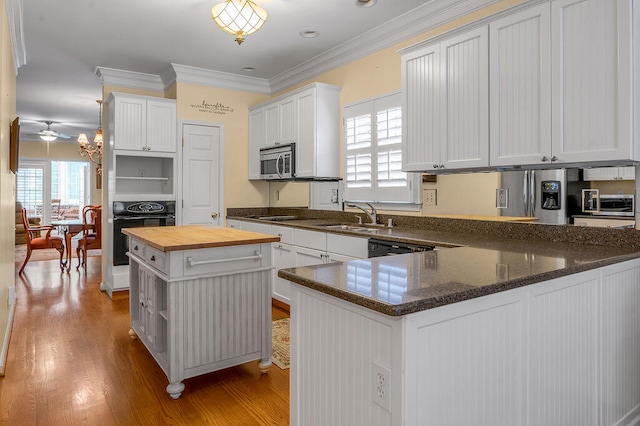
(238,190)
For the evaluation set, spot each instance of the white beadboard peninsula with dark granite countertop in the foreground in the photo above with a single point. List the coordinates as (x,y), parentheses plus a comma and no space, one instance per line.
(531,333)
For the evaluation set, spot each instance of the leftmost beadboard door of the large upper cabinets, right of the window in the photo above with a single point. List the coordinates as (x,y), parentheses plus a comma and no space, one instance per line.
(421,110)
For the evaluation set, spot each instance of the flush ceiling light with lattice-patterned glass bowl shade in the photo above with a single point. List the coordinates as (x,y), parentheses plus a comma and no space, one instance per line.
(239,17)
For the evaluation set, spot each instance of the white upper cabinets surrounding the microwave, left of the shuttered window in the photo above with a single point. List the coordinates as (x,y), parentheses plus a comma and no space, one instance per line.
(308,117)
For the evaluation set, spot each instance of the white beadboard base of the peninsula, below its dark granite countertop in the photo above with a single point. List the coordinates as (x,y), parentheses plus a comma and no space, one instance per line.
(559,352)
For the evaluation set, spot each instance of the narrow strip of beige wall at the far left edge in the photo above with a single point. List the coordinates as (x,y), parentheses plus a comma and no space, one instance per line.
(7,178)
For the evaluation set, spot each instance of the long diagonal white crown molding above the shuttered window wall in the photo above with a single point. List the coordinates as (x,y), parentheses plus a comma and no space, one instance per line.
(404,27)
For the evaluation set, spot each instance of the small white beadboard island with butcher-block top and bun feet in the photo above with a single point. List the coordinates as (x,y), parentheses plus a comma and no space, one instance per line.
(200,298)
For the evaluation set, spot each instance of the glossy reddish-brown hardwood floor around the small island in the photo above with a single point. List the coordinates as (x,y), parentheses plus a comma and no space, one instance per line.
(71,361)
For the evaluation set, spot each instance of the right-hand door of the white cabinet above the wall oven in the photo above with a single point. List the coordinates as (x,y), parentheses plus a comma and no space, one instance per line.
(161,126)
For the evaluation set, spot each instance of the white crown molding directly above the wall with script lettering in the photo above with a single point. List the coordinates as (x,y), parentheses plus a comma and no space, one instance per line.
(206,77)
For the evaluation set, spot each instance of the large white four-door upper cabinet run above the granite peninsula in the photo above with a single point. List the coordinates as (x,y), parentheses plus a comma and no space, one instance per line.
(559,90)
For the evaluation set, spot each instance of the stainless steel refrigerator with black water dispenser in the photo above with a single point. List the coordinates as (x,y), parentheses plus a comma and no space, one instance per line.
(552,196)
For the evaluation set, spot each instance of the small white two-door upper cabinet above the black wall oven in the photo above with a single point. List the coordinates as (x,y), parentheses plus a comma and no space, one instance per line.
(143,123)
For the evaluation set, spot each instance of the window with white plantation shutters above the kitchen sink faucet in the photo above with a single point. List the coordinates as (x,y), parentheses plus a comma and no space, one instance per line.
(373,153)
